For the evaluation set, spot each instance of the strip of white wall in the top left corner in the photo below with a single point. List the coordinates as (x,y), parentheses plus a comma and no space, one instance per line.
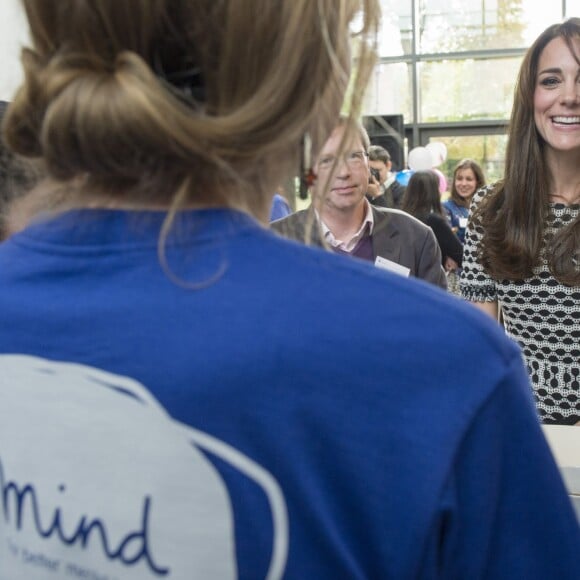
(13,34)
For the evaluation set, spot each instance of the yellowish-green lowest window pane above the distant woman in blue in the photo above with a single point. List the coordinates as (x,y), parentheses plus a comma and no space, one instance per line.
(487,150)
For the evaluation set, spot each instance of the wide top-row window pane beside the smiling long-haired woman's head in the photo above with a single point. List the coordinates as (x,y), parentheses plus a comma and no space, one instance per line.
(460,25)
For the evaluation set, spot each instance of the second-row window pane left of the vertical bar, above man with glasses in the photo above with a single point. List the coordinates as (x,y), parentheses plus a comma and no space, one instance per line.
(389,91)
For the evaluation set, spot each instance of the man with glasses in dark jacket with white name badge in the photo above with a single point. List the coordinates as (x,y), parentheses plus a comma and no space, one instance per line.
(341,218)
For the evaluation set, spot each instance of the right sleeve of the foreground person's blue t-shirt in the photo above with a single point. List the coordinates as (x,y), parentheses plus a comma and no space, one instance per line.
(505,513)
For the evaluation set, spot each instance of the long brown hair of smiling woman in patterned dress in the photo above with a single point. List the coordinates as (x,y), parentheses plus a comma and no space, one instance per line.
(513,216)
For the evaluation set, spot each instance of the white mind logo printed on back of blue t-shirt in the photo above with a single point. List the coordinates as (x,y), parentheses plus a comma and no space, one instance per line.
(97,481)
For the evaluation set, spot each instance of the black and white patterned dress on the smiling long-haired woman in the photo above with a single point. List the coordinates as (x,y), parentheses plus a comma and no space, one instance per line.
(541,314)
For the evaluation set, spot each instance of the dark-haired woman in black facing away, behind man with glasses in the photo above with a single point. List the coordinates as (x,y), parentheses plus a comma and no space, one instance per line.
(422,200)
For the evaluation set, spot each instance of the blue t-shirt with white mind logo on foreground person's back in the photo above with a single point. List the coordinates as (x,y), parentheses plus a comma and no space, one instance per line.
(246,406)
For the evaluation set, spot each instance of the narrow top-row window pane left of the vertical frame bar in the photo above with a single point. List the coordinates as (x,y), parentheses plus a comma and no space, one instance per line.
(396,36)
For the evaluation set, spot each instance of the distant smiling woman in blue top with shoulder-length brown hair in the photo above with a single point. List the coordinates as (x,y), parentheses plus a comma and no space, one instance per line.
(467,179)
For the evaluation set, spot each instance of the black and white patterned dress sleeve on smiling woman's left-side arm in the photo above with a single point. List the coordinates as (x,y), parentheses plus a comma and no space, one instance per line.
(476,285)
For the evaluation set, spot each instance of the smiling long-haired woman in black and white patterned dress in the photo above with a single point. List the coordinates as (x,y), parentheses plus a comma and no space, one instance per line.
(523,241)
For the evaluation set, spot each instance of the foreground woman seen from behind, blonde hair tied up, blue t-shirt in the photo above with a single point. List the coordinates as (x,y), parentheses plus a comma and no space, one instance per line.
(162,413)
